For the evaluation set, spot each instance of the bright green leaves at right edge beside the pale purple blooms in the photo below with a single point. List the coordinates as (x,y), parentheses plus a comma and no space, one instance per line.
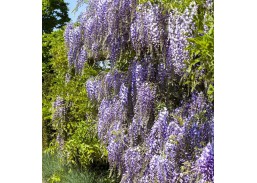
(199,74)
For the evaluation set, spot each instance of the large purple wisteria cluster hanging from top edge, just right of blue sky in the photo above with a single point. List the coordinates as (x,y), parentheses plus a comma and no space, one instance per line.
(106,22)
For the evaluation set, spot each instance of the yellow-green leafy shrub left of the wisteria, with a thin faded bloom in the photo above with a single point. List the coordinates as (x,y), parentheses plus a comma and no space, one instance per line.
(68,115)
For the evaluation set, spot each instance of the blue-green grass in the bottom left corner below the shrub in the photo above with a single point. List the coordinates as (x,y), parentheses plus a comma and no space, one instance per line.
(54,171)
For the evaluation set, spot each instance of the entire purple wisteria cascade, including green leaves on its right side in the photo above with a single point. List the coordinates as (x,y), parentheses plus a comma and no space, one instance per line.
(155,104)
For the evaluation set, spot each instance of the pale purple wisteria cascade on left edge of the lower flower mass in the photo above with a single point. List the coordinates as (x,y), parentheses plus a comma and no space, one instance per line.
(110,130)
